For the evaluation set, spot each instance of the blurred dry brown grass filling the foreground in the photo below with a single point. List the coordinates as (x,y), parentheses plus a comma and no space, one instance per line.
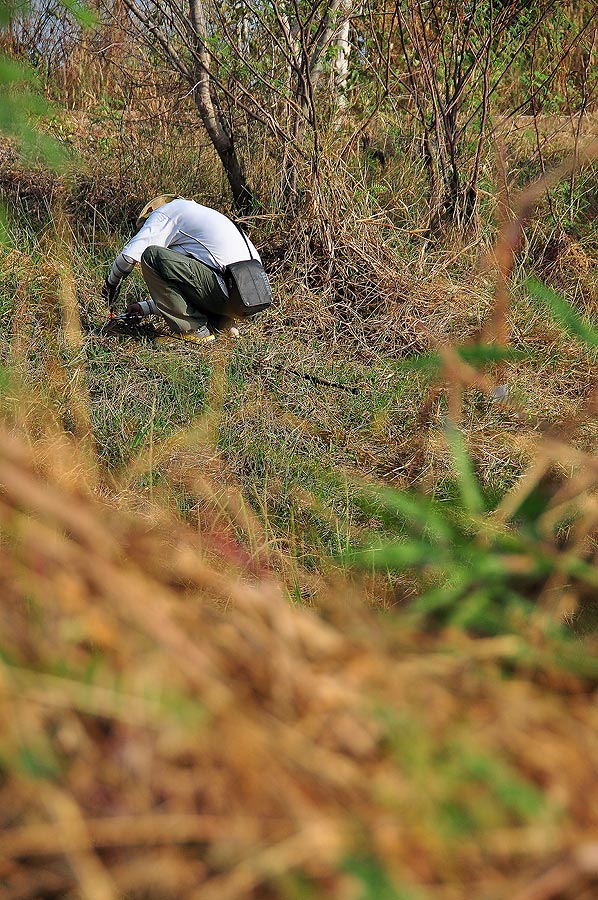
(173,727)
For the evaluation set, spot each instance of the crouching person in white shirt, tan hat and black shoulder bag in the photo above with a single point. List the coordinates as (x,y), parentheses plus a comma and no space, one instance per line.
(192,260)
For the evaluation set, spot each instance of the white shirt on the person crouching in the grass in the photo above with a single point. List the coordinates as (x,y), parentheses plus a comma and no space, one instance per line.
(192,230)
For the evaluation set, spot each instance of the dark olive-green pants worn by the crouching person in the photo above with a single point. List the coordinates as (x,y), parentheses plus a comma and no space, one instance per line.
(186,292)
